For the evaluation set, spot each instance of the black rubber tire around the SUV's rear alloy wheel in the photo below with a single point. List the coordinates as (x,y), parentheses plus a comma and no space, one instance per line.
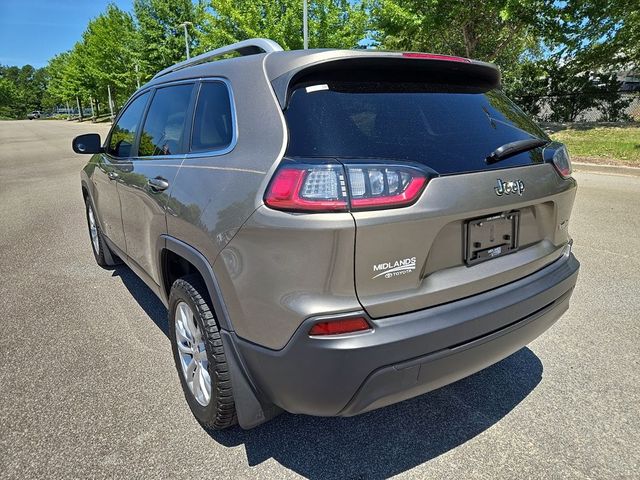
(220,412)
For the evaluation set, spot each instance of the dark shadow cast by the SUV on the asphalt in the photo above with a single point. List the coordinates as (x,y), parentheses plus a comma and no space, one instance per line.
(384,442)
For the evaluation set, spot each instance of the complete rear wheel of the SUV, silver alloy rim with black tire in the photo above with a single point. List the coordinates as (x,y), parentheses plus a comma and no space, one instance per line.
(199,355)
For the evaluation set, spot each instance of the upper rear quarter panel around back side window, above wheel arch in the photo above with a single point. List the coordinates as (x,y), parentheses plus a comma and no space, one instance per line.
(213,195)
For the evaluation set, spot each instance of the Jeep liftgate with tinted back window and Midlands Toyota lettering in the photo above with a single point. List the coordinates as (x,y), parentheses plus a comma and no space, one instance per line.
(476,225)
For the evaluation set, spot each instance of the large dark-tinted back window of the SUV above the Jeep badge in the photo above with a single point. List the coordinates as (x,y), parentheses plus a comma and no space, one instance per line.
(448,131)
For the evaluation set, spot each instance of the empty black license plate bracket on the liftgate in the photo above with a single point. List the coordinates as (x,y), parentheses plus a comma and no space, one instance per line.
(491,237)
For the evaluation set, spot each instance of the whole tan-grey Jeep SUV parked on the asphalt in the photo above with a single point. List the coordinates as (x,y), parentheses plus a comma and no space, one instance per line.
(332,231)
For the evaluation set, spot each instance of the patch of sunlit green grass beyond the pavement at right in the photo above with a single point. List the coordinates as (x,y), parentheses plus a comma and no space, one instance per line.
(616,145)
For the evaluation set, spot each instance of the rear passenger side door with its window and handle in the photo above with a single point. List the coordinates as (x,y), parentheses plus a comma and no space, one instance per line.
(145,188)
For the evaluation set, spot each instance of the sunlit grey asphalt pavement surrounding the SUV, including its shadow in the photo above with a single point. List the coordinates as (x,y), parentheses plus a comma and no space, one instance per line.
(88,387)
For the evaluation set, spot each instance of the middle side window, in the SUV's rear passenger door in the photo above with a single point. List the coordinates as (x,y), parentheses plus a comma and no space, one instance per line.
(164,126)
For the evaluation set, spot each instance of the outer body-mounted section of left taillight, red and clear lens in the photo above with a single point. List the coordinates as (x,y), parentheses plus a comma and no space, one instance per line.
(308,188)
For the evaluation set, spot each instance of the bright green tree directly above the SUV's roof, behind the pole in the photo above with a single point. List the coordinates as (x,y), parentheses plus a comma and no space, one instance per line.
(332,23)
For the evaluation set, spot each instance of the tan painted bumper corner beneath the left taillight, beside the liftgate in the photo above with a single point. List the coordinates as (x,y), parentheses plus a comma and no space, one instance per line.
(282,268)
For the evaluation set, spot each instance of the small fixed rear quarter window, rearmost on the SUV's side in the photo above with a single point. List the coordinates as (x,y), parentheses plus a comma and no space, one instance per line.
(213,123)
